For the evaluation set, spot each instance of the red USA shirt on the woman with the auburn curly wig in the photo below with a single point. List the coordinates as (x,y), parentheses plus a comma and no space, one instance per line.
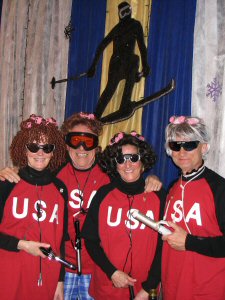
(19,270)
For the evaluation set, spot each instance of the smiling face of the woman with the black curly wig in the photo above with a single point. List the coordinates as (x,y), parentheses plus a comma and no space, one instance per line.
(130,171)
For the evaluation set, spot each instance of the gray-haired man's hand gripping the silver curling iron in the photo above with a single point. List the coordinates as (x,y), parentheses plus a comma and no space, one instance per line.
(177,239)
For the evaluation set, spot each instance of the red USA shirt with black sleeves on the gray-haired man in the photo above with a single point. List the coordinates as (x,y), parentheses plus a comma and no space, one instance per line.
(189,275)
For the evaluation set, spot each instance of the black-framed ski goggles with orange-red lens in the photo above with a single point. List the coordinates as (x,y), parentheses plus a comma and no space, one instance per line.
(88,140)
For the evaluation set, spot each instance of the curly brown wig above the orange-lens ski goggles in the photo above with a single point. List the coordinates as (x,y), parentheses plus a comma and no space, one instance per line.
(86,119)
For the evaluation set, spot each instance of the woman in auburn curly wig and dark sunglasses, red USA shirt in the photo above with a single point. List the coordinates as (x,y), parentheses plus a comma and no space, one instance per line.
(33,214)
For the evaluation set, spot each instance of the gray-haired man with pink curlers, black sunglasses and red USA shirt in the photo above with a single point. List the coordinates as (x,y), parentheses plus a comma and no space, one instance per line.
(193,259)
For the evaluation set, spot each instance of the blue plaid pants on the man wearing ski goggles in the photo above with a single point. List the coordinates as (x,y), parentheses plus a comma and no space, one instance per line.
(76,287)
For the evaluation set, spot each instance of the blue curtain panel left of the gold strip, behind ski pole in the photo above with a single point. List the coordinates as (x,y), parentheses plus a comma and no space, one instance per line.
(88,22)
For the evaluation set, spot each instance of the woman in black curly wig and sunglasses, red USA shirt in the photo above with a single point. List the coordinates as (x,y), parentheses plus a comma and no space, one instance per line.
(126,252)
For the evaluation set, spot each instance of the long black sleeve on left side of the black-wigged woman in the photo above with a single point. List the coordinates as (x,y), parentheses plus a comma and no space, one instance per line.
(90,233)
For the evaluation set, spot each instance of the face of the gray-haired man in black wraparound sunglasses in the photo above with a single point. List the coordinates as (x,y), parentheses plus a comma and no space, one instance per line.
(187,161)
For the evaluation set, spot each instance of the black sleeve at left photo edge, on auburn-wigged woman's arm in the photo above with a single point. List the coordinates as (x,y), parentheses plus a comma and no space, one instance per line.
(7,242)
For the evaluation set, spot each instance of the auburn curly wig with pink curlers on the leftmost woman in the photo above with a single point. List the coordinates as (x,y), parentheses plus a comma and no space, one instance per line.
(36,128)
